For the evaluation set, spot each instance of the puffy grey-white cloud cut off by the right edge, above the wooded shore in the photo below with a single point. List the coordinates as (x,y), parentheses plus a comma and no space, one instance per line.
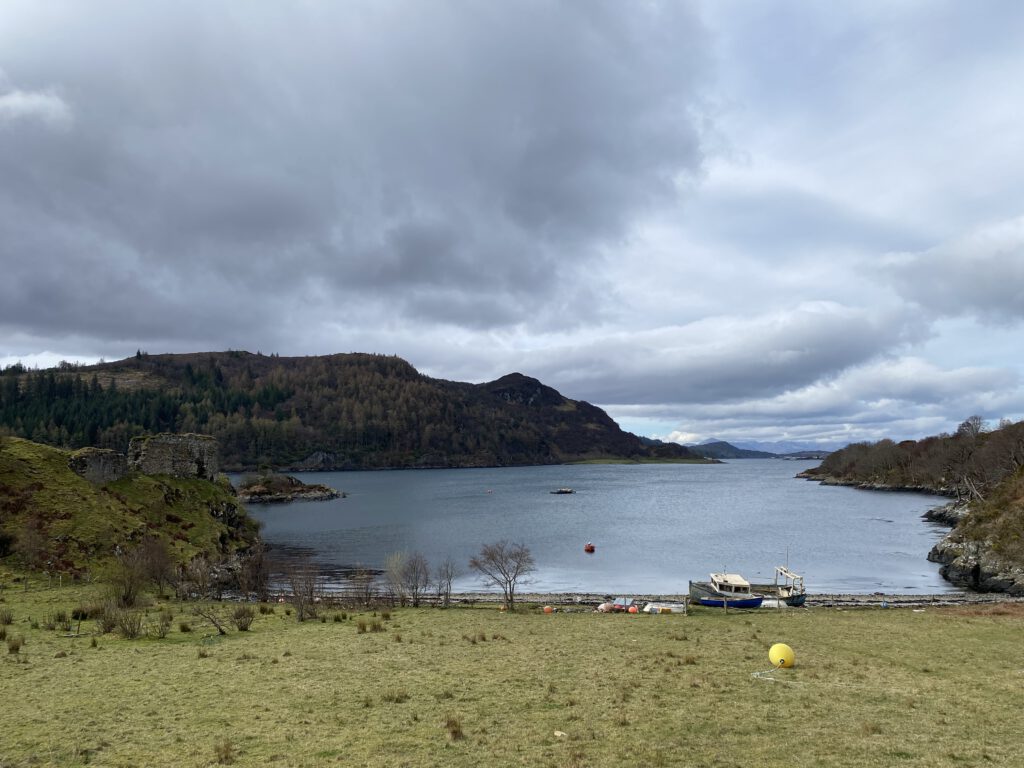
(980,275)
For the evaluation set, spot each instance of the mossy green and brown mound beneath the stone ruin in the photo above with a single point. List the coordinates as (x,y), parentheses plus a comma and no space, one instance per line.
(58,521)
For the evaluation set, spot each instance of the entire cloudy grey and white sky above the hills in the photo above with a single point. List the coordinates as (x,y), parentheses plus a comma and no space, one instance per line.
(750,222)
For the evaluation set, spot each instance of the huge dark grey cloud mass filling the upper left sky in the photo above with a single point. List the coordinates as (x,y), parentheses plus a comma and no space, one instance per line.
(406,150)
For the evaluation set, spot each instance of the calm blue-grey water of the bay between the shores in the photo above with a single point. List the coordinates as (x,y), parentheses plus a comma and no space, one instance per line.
(656,527)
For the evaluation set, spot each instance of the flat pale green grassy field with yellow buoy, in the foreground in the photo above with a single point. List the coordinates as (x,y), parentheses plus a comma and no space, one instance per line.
(480,688)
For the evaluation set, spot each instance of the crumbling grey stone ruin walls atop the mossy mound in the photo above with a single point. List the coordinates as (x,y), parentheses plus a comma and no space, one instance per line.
(189,456)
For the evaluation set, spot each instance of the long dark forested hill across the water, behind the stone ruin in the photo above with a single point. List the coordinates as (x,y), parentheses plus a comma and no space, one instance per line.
(336,412)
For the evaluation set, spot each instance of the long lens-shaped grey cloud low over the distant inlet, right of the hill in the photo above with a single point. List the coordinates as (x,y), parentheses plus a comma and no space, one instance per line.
(728,359)
